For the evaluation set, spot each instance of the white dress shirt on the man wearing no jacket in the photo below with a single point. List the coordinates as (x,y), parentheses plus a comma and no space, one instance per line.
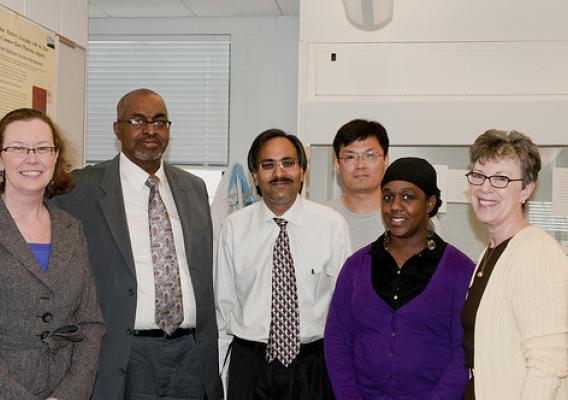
(319,243)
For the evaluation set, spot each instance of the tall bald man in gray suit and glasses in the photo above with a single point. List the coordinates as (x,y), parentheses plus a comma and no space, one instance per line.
(142,358)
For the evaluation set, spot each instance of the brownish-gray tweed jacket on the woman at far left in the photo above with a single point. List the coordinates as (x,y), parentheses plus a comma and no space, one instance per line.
(51,327)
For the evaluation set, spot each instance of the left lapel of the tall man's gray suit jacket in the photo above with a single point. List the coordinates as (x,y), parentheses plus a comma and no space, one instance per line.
(112,206)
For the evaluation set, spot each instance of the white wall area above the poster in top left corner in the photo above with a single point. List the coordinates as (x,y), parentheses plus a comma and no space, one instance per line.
(64,17)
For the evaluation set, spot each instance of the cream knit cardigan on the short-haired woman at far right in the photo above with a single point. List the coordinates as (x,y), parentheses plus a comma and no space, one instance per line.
(521,328)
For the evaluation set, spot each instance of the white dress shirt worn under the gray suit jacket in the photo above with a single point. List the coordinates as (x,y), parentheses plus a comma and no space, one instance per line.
(135,192)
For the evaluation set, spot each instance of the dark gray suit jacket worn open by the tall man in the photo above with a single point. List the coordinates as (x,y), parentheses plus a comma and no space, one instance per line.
(98,202)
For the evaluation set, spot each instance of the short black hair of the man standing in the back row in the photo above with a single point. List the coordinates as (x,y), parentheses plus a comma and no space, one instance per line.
(360,129)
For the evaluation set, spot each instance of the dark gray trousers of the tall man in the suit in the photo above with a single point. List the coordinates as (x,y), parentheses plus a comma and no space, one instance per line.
(163,369)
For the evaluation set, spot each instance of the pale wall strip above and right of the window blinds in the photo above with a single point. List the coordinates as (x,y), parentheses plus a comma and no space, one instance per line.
(264,67)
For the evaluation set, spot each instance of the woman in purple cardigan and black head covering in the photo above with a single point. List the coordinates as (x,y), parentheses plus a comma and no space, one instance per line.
(393,329)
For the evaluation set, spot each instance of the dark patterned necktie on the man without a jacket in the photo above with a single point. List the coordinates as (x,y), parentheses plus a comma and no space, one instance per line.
(284,337)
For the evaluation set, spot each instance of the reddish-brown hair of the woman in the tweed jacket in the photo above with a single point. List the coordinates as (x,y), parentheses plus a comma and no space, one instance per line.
(61,181)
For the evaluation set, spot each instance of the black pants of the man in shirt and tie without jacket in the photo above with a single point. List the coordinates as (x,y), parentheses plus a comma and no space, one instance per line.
(252,378)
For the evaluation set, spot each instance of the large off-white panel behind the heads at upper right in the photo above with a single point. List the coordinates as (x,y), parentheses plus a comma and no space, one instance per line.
(440,73)
